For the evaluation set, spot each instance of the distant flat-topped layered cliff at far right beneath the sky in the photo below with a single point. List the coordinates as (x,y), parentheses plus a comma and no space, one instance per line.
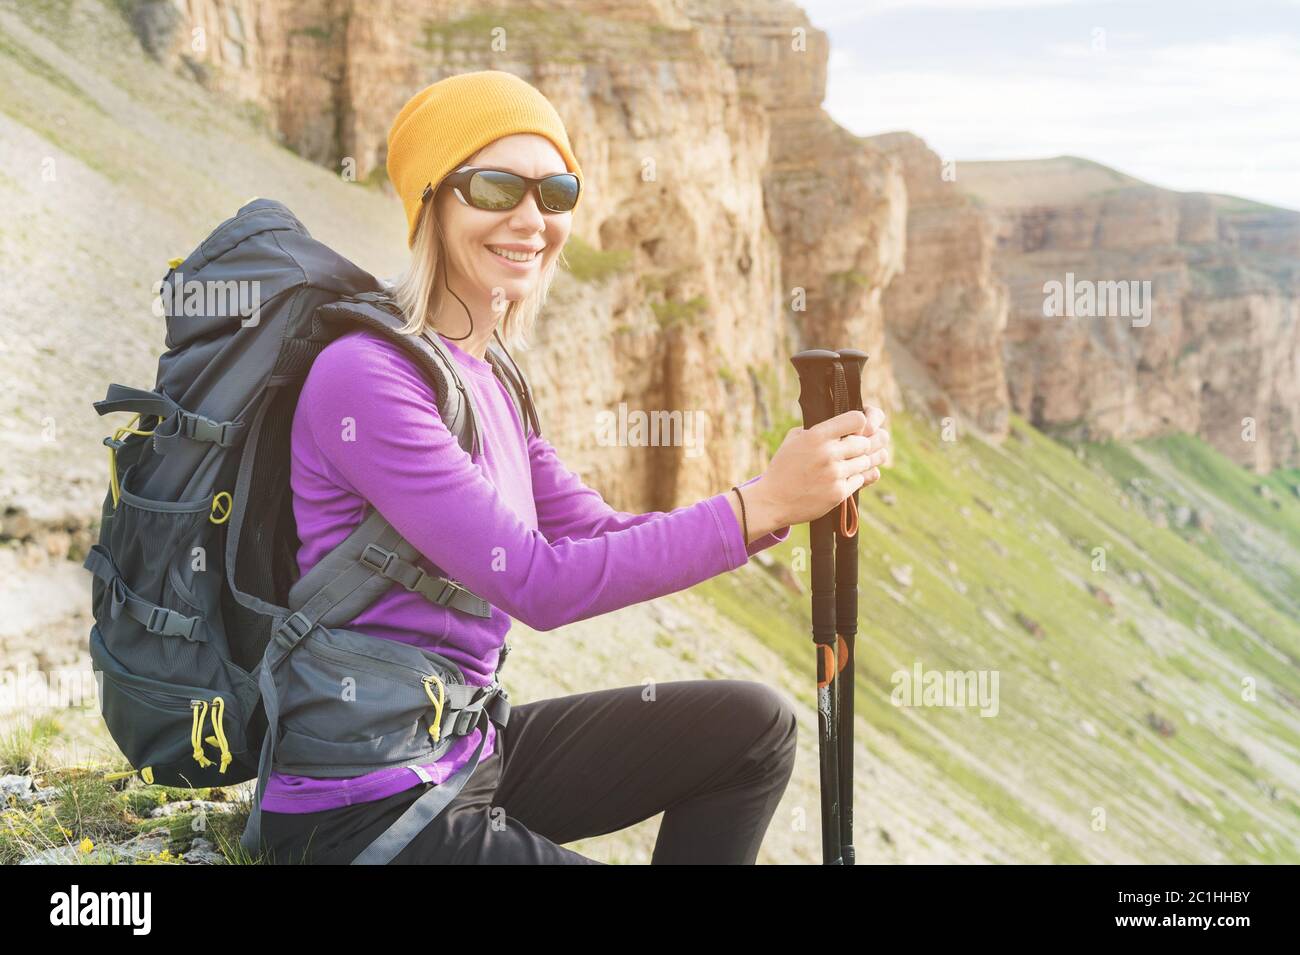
(1215,351)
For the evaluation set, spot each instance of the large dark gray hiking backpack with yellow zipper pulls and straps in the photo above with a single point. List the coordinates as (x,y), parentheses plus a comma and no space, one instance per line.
(215,662)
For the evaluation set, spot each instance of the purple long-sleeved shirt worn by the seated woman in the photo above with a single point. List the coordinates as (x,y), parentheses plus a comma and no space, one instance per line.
(513,524)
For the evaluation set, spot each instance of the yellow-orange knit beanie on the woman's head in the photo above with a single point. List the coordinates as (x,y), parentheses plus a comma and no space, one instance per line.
(449,121)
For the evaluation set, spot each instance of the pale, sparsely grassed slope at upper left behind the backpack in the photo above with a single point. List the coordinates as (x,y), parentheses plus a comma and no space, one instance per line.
(112,167)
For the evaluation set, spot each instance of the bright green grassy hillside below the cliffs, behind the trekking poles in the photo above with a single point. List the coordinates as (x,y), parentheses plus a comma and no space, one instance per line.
(1150,694)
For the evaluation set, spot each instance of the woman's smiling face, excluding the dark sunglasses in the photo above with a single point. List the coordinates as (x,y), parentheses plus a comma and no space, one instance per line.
(473,235)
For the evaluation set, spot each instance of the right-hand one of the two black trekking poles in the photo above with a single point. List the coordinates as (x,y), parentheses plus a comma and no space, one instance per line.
(847,614)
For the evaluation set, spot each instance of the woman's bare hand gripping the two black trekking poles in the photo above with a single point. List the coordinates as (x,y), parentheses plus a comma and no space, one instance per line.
(817,468)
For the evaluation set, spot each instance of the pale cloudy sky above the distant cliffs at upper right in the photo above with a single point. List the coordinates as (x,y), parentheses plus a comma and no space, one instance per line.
(1195,95)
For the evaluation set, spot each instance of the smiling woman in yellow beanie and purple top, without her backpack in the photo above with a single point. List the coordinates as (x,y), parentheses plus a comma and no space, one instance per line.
(522,532)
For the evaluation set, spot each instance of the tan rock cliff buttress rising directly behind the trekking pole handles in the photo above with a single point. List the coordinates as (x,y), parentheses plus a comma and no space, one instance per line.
(837,203)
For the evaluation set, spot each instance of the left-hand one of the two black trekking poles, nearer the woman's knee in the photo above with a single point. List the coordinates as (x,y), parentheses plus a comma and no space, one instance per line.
(817,371)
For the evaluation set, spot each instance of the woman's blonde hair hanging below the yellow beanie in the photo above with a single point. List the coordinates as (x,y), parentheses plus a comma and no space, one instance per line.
(419,290)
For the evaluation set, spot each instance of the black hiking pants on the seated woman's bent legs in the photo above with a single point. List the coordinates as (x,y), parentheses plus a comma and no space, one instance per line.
(713,756)
